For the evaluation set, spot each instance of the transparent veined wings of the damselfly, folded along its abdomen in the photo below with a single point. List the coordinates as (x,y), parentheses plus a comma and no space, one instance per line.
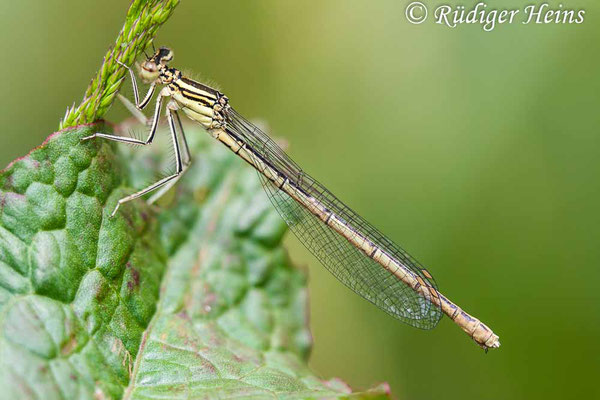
(347,263)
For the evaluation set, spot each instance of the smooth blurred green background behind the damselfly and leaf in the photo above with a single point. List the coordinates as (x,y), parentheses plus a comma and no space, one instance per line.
(477,152)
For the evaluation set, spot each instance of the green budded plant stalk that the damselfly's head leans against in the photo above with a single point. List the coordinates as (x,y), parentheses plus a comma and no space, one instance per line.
(143,20)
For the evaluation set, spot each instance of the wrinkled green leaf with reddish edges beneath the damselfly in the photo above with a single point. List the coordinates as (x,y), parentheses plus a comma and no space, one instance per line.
(193,299)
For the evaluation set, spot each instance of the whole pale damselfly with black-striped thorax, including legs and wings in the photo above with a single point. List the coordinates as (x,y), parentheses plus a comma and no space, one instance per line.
(353,250)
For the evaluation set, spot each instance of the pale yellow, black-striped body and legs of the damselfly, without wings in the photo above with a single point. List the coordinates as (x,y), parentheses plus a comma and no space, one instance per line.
(210,108)
